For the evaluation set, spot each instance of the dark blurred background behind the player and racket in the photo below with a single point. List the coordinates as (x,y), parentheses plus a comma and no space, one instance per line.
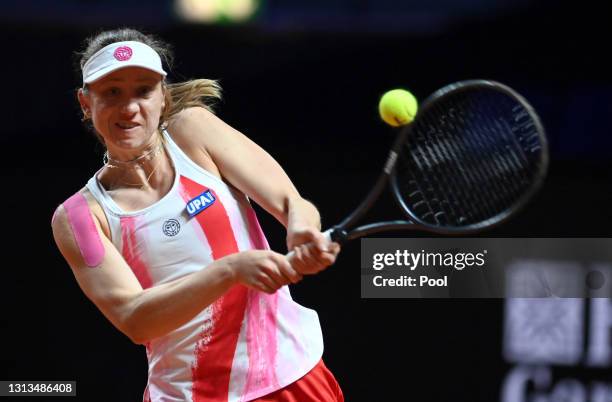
(302,78)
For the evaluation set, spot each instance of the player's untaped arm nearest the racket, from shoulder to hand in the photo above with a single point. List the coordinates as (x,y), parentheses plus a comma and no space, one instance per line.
(254,171)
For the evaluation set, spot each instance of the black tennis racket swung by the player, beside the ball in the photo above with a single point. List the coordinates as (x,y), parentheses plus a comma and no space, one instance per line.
(474,156)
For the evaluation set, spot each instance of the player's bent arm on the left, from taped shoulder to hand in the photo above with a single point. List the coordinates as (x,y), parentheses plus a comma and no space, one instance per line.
(144,314)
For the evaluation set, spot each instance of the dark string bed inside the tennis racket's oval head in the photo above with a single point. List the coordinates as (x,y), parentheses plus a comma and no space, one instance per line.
(469,158)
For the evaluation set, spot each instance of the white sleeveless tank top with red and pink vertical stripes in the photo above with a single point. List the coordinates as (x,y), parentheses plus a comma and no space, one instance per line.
(247,343)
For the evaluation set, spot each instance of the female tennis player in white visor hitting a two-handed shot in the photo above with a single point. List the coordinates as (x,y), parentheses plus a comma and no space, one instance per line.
(165,243)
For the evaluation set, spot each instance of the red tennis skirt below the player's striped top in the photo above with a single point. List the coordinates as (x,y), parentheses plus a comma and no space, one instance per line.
(319,385)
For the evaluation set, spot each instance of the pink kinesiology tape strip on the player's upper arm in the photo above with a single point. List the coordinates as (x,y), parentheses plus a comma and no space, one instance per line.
(84,229)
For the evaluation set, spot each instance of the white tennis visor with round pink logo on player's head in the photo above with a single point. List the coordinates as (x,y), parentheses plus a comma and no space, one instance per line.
(120,55)
